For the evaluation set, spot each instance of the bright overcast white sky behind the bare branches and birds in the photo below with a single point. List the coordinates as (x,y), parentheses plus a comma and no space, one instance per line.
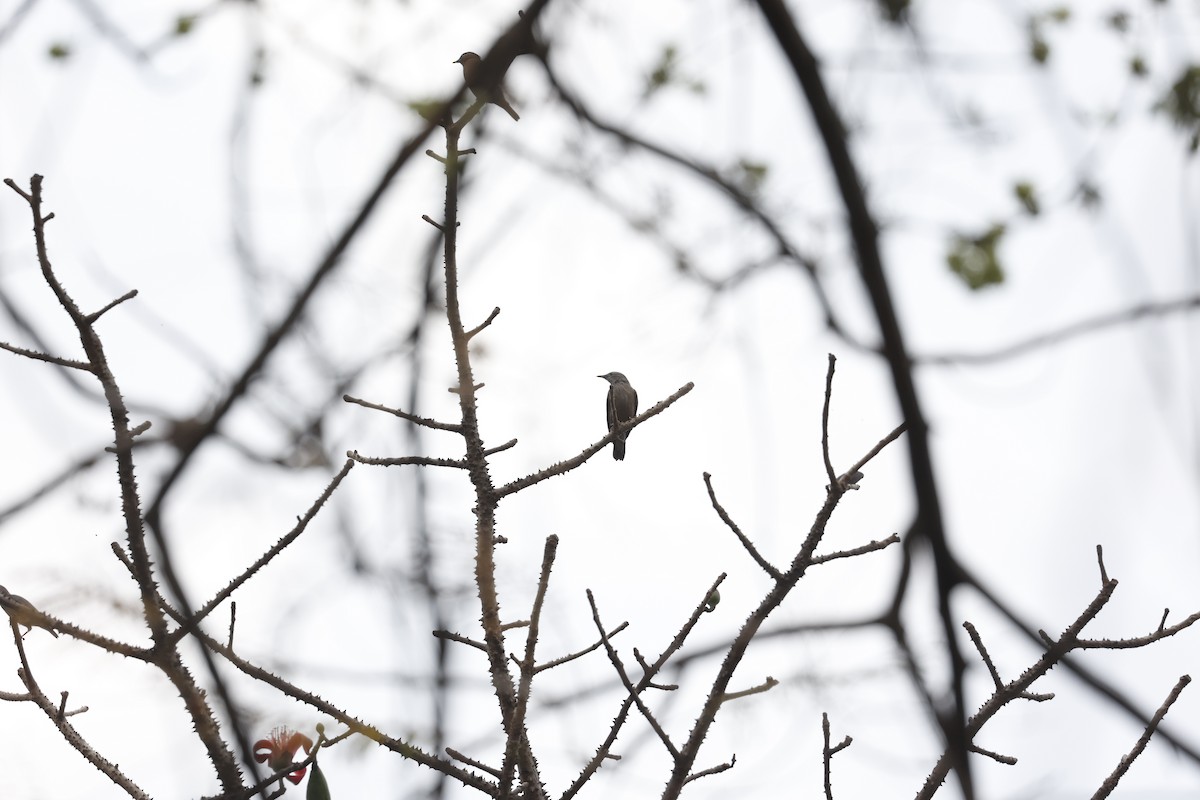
(1040,459)
